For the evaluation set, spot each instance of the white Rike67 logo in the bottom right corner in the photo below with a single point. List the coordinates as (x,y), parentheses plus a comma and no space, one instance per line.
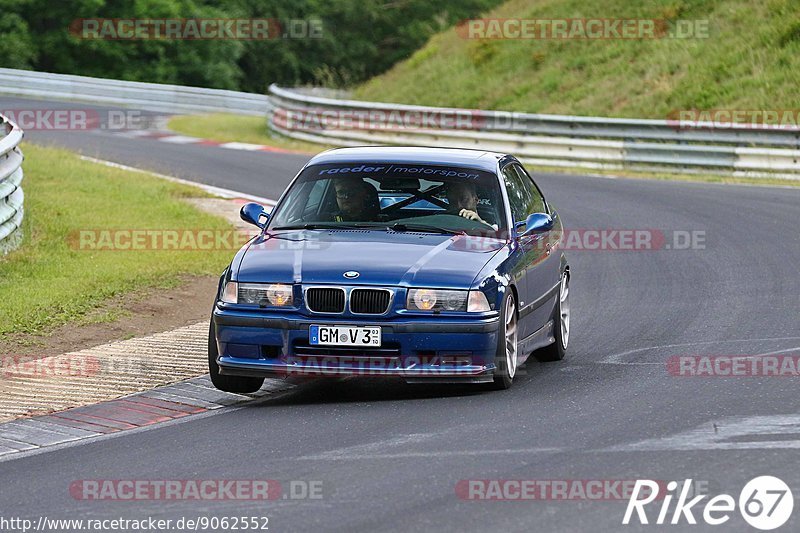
(765,503)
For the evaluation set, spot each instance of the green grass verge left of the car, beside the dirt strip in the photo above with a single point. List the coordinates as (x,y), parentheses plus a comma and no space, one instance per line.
(48,282)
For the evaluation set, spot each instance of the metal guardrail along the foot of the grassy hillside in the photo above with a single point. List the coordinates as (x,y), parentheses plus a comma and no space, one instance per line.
(549,140)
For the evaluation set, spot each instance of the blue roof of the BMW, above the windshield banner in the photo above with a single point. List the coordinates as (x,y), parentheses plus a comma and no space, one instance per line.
(462,157)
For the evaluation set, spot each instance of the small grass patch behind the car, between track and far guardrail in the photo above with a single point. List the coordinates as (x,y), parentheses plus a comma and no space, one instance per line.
(224,127)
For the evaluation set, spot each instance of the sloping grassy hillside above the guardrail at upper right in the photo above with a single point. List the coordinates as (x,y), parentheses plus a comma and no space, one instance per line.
(751,60)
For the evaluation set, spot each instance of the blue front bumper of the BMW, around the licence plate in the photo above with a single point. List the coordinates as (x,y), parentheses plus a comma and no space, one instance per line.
(418,349)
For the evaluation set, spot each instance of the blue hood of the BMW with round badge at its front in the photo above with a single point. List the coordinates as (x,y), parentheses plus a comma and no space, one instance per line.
(380,258)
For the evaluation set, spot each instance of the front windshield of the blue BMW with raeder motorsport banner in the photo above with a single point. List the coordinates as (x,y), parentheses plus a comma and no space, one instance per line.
(431,198)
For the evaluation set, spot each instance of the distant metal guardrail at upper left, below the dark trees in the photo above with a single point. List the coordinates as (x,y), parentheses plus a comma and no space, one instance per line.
(148,96)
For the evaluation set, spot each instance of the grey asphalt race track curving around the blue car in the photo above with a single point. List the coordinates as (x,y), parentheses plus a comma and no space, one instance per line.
(390,455)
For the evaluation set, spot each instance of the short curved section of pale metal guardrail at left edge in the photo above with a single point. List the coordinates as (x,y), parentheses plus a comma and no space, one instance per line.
(11,195)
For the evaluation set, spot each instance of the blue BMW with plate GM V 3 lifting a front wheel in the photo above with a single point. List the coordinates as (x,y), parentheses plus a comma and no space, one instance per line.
(434,265)
